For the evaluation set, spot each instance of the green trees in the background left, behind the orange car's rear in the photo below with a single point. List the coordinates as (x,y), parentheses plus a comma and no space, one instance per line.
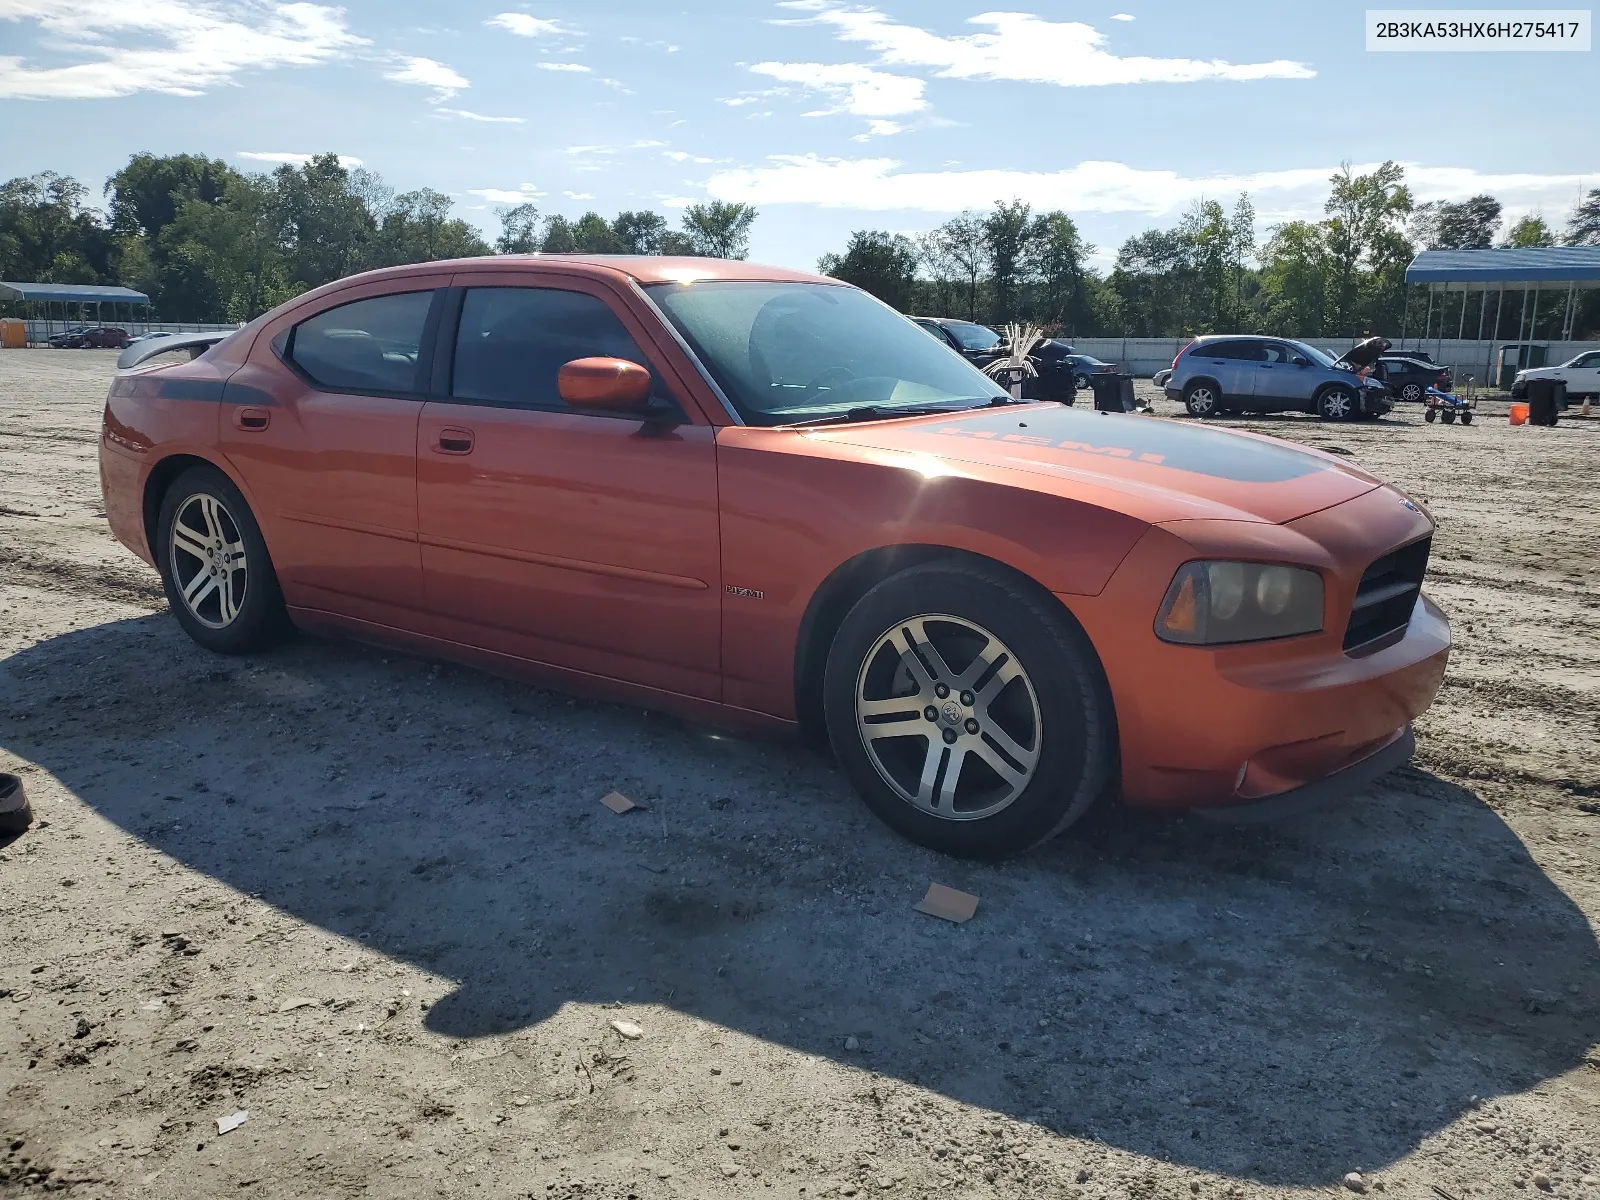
(209,242)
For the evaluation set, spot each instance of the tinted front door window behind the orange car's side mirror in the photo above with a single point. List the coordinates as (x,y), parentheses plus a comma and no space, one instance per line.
(513,343)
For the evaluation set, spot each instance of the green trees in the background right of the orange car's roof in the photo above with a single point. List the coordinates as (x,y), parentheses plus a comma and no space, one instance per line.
(1342,276)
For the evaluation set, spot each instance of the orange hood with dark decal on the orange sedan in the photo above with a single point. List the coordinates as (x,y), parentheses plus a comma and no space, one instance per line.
(1148,468)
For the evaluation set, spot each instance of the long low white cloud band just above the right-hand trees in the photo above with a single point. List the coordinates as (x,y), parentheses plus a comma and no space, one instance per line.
(878,185)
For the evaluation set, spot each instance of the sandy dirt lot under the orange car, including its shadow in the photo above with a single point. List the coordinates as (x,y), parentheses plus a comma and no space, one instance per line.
(377,905)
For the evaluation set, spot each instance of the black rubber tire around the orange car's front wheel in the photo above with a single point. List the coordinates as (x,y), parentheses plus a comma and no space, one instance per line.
(1073,730)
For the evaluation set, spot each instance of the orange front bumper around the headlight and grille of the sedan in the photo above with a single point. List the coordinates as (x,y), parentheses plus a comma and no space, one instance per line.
(1231,726)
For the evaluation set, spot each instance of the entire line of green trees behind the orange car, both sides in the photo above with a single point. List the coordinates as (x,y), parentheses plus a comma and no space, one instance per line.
(209,242)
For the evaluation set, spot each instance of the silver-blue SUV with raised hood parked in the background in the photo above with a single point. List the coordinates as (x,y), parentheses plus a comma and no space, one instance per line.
(1225,374)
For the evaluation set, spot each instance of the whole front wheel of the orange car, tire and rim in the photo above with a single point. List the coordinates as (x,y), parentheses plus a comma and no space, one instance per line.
(970,716)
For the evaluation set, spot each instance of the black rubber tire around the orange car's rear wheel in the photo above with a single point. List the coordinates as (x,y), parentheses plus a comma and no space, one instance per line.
(258,618)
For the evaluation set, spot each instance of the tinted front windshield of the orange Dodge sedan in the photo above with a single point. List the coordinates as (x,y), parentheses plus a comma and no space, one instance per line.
(790,351)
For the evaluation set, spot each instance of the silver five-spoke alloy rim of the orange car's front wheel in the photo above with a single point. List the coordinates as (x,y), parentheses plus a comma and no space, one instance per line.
(950,718)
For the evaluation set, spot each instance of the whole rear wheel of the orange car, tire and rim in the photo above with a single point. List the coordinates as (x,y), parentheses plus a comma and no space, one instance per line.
(215,566)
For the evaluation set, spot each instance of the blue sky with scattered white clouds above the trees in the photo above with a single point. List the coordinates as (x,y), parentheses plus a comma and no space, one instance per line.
(826,116)
